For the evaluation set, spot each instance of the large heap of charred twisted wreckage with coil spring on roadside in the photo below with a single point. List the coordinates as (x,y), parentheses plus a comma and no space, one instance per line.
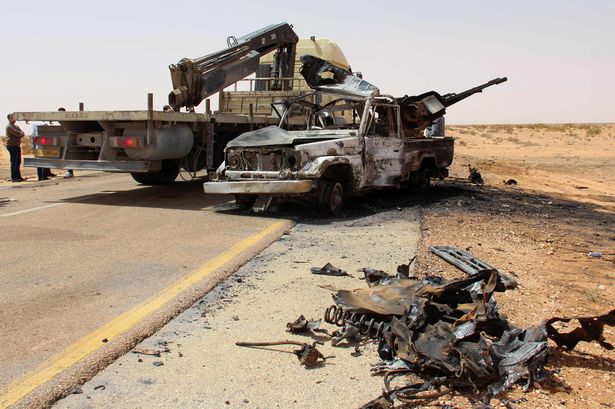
(450,330)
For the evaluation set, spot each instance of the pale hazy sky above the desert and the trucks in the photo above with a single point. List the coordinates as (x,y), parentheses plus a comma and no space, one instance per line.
(559,56)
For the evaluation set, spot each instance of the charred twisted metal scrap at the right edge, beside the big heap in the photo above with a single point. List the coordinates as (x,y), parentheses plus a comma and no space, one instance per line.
(591,330)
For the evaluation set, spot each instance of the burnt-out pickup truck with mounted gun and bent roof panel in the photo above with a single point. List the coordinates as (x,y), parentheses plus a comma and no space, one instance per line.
(359,141)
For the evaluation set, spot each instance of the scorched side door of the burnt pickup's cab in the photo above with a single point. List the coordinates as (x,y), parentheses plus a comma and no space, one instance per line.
(383,146)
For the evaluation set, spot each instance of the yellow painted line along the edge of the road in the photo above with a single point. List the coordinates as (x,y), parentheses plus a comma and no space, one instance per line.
(122,323)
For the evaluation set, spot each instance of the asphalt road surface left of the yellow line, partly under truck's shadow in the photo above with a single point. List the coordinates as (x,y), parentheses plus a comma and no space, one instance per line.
(77,253)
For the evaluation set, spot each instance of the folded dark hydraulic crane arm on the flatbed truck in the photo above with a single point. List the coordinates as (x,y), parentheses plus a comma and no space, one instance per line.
(196,79)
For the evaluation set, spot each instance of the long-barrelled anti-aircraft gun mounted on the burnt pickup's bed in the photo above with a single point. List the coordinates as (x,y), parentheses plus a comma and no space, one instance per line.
(418,111)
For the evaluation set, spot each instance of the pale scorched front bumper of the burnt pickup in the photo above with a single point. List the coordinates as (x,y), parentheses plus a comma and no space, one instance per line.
(259,187)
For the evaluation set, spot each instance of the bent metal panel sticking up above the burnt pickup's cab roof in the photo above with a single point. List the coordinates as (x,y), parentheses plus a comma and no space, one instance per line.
(321,75)
